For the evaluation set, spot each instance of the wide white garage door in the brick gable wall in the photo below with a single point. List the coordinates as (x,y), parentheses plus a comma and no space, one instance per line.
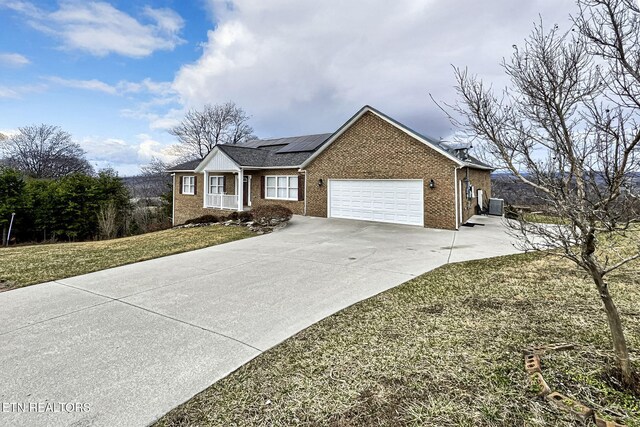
(383,200)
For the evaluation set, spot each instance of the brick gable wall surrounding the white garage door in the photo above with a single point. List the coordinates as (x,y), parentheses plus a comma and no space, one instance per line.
(374,149)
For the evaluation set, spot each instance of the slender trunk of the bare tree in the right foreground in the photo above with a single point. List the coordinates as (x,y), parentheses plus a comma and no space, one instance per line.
(615,326)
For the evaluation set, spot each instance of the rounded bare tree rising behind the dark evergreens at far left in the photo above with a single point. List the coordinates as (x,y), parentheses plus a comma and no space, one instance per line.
(45,151)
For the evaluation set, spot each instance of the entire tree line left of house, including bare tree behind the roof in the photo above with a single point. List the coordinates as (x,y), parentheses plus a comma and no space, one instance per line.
(56,195)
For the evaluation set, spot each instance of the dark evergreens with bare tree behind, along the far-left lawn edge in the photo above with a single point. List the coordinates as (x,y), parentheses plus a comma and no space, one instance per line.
(55,194)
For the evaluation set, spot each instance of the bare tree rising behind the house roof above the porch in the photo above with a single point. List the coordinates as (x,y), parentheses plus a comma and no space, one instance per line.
(200,131)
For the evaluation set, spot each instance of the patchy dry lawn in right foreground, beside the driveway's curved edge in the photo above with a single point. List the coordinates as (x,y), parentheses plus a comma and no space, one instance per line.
(443,349)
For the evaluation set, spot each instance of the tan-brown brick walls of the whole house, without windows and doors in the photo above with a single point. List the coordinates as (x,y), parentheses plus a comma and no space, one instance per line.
(370,149)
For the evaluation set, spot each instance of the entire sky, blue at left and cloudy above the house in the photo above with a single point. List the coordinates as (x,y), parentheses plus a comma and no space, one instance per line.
(118,74)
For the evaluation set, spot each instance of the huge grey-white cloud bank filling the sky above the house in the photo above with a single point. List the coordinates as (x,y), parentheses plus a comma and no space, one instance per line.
(307,66)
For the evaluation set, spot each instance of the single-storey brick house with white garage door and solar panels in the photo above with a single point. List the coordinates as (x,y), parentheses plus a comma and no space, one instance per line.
(372,168)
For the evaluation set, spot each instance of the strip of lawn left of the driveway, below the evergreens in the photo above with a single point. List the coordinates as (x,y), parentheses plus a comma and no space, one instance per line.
(27,265)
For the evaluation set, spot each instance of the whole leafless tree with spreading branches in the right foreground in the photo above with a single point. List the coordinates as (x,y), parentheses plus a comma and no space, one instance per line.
(567,126)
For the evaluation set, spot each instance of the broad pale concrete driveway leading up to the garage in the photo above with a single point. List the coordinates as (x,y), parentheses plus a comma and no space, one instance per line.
(128,344)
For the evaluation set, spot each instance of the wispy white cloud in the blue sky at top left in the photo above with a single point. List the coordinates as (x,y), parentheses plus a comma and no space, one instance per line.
(101,29)
